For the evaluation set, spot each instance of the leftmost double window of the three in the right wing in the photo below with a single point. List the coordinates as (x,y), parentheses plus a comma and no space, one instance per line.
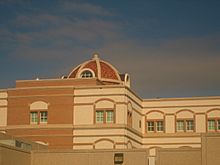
(155,126)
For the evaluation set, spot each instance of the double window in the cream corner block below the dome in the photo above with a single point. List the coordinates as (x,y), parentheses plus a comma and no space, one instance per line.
(104,116)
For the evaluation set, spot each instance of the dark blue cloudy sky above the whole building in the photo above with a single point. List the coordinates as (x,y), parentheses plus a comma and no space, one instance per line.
(169,48)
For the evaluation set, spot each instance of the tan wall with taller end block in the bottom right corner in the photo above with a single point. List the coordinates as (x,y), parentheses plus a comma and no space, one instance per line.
(208,154)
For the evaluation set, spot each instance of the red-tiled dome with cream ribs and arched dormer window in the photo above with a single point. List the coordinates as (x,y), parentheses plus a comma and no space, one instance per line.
(96,68)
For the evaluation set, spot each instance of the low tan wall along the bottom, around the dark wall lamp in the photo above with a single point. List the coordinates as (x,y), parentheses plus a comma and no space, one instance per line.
(88,157)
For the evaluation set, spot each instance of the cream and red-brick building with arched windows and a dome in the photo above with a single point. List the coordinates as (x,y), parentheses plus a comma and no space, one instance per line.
(94,107)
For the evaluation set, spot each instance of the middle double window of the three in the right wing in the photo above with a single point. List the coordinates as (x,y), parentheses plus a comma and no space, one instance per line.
(185,125)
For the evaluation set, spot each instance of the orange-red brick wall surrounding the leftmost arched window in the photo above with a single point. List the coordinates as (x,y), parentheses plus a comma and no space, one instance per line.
(60,111)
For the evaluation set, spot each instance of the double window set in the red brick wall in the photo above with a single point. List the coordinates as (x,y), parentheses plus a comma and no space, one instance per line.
(38,117)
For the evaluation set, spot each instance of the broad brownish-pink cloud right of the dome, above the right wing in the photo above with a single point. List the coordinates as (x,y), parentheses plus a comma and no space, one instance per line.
(180,65)
